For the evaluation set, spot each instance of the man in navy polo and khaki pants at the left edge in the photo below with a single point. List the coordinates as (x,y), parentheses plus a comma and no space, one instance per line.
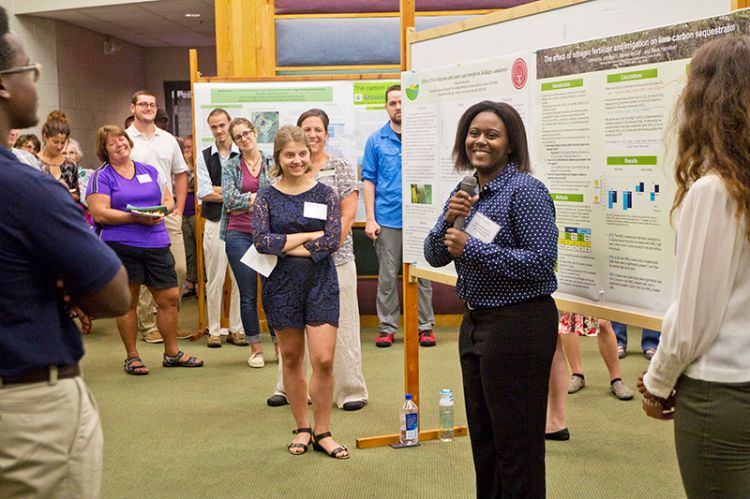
(50,434)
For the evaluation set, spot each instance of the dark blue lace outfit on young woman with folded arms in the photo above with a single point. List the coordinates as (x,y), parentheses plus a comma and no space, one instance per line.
(300,291)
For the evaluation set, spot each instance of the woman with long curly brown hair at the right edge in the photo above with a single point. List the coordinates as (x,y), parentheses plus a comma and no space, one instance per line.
(704,354)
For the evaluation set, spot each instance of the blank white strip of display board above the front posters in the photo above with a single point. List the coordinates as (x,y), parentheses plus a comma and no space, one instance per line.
(585,21)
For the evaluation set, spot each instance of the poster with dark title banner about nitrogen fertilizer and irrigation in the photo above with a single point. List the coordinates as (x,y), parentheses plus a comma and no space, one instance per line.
(606,147)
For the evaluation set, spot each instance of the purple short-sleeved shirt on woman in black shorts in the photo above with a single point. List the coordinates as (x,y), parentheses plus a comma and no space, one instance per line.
(144,189)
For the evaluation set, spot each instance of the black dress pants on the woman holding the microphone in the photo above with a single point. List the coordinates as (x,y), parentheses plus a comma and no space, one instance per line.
(506,354)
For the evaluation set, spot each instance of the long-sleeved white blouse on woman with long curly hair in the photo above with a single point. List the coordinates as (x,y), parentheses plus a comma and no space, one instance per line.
(706,330)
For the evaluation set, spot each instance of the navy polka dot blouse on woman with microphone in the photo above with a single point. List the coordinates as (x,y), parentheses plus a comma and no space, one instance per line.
(519,263)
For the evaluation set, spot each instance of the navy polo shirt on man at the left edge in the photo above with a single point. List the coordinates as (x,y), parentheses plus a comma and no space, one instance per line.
(43,238)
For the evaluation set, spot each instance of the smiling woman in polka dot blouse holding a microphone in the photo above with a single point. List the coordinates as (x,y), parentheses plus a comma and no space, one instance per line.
(505,258)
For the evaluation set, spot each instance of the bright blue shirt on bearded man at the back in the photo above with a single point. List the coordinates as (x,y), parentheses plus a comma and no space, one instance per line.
(381,165)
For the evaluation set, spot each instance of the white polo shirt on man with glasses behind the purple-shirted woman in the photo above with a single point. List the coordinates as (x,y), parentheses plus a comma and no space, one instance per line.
(160,151)
